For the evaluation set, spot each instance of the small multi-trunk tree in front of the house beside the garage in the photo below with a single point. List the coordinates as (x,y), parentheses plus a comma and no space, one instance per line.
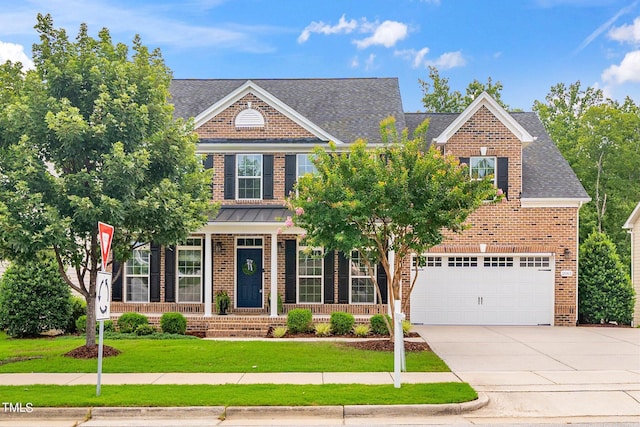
(395,198)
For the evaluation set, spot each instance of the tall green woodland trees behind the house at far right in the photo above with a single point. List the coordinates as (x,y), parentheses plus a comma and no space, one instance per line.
(600,138)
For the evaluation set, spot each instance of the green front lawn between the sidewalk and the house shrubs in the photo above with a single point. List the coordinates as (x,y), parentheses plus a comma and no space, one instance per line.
(148,355)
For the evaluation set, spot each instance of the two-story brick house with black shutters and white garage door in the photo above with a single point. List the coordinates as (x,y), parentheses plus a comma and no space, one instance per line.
(257,136)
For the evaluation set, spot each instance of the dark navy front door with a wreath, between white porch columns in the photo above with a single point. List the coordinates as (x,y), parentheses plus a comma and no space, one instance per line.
(249,274)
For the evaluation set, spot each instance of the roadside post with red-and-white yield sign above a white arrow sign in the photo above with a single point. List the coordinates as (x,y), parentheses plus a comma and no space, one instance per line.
(103,292)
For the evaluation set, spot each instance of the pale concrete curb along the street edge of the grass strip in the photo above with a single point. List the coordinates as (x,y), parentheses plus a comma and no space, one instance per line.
(255,412)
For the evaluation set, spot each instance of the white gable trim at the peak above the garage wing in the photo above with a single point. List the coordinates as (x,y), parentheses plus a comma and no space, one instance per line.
(485,100)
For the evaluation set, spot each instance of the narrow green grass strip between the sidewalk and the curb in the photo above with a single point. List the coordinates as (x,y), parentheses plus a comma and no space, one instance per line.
(239,395)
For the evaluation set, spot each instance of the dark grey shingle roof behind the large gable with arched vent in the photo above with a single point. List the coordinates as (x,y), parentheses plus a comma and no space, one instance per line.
(346,108)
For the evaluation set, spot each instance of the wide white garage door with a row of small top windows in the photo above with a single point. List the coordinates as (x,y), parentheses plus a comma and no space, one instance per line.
(483,290)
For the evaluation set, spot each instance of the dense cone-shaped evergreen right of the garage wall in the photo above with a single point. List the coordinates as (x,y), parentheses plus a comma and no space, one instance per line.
(605,293)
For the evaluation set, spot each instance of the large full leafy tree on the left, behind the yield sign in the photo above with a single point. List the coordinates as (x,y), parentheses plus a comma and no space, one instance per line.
(89,136)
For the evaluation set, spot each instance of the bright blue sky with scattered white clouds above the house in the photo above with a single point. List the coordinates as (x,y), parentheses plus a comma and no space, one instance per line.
(528,45)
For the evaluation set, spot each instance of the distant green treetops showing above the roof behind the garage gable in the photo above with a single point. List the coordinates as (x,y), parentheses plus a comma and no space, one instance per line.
(439,98)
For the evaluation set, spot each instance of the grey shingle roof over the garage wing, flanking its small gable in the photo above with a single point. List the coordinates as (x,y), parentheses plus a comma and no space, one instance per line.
(545,172)
